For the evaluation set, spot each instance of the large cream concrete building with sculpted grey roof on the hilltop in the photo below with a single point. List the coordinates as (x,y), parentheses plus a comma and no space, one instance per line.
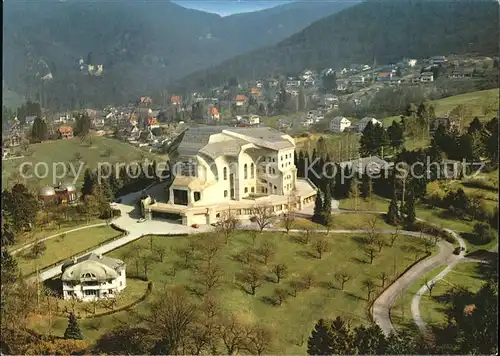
(219,168)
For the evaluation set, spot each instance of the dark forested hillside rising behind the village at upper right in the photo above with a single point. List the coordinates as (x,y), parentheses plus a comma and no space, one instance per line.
(385,30)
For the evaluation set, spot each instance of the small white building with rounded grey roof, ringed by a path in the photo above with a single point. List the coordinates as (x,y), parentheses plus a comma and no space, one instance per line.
(93,277)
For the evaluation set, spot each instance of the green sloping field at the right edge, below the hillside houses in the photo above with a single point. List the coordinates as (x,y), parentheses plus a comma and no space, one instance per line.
(476,101)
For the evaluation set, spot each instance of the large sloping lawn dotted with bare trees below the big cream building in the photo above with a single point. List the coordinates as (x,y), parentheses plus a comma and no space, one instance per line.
(294,319)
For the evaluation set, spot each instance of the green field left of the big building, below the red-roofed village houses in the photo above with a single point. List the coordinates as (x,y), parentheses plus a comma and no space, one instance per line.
(66,151)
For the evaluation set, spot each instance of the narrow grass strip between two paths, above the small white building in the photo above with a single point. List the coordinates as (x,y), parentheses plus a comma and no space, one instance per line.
(60,248)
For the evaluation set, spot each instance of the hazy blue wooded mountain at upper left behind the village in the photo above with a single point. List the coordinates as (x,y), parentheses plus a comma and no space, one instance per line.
(142,45)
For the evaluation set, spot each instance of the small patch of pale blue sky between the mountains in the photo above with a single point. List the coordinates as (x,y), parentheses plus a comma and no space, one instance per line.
(228,7)
